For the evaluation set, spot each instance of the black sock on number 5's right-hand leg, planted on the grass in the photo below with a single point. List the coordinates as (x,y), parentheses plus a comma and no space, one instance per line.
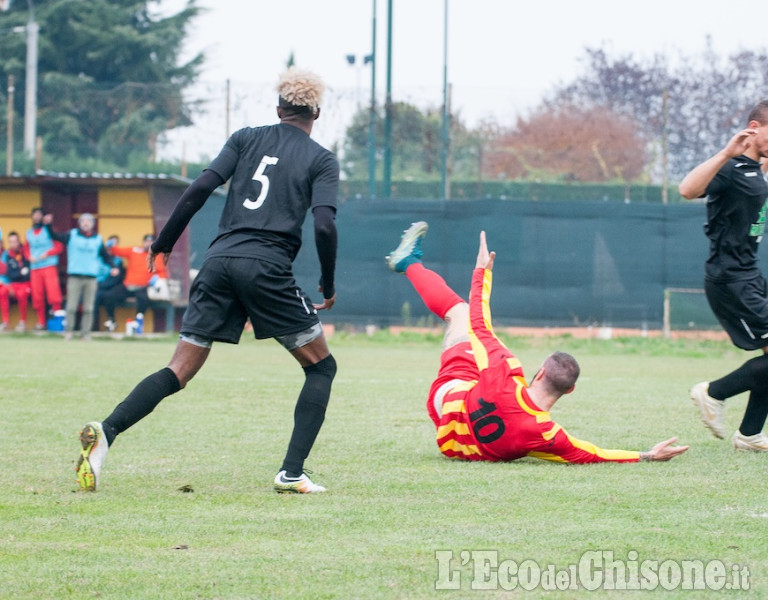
(309,414)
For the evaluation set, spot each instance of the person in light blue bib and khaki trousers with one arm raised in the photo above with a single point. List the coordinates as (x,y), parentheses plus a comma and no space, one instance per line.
(86,254)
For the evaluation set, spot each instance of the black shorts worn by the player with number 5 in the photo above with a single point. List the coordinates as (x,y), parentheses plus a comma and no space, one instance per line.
(227,291)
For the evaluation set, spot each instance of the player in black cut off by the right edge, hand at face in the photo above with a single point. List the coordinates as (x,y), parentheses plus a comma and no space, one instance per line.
(735,287)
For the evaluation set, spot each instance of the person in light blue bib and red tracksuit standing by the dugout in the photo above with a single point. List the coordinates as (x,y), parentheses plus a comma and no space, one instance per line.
(43,251)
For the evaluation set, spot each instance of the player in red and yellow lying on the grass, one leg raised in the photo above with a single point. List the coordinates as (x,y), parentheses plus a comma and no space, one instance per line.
(480,402)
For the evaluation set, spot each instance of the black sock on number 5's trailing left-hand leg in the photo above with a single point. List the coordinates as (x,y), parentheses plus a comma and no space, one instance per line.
(140,402)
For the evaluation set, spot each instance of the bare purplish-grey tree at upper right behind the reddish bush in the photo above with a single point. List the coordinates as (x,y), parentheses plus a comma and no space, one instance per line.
(689,111)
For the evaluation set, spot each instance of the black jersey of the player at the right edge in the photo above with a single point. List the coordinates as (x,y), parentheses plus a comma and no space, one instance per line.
(736,207)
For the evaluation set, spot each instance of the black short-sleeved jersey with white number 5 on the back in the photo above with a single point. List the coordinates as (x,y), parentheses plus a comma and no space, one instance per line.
(277,174)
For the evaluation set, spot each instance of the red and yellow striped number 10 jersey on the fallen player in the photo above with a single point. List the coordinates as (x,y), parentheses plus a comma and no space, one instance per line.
(492,417)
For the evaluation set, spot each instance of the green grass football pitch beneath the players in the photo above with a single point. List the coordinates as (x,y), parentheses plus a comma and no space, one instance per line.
(393,500)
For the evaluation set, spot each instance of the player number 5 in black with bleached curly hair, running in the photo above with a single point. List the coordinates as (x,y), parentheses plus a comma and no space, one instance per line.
(277,173)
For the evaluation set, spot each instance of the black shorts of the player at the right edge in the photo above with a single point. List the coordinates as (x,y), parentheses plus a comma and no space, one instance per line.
(742,309)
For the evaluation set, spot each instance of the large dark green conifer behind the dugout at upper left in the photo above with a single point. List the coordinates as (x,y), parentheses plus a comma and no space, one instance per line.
(109,82)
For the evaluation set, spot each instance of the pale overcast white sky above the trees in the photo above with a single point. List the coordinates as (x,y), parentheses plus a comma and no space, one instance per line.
(503,55)
